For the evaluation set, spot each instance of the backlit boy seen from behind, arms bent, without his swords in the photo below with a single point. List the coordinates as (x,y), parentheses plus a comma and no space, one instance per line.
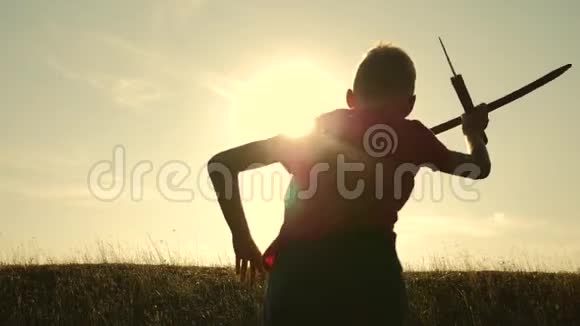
(334,261)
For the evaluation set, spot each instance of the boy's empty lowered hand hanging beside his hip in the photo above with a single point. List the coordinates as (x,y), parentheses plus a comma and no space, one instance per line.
(247,253)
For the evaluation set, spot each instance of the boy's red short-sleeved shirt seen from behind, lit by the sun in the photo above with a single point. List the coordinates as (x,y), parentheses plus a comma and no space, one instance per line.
(321,199)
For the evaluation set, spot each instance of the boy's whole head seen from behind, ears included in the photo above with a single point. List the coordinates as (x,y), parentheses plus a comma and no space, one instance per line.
(385,80)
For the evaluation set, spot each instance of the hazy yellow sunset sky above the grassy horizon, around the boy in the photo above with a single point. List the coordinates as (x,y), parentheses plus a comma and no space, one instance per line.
(167,84)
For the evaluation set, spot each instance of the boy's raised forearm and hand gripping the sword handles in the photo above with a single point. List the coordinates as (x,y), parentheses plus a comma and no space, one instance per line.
(476,164)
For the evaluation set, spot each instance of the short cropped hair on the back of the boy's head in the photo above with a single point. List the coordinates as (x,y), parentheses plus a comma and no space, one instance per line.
(386,69)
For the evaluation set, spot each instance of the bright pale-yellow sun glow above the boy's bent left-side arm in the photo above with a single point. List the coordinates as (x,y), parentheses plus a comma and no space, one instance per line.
(284,99)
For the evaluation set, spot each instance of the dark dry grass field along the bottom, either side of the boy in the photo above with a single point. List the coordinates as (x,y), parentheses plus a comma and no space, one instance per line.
(131,294)
